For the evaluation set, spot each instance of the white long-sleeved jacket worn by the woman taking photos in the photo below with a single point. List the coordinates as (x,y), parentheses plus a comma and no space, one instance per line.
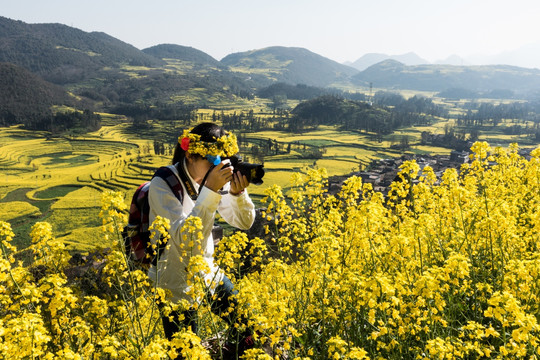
(170,272)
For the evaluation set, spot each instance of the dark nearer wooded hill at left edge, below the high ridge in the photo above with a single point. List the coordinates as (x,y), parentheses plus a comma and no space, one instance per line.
(26,97)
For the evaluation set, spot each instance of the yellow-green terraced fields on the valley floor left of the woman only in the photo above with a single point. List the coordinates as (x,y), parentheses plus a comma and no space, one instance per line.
(61,179)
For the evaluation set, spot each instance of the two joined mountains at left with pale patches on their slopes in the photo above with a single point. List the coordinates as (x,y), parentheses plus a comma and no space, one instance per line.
(97,62)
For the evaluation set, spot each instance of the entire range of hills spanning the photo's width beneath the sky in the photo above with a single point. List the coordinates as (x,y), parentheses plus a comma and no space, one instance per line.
(111,73)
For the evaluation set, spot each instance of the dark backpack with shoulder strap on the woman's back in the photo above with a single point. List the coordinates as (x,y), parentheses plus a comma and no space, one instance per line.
(136,235)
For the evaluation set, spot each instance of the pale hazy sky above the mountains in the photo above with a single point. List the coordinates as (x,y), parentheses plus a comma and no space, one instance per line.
(342,30)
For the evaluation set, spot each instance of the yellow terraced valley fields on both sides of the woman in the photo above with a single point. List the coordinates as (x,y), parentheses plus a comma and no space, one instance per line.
(60,180)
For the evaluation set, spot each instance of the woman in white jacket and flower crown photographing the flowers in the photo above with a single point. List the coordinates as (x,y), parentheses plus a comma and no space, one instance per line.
(209,185)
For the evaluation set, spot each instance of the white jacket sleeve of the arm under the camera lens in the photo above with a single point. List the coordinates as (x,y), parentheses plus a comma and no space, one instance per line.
(238,211)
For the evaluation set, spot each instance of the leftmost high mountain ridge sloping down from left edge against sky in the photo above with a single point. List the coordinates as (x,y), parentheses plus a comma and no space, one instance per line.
(63,54)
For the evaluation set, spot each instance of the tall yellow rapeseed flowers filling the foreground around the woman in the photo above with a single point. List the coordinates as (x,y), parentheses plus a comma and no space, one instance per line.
(443,268)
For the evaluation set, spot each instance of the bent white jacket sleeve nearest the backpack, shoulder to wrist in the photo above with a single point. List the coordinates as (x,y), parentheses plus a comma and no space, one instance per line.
(163,203)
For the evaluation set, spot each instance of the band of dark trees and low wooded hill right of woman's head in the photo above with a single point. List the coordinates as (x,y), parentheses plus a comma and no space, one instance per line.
(383,117)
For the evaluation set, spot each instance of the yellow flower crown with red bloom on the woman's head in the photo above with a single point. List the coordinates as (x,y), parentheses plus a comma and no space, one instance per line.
(224,146)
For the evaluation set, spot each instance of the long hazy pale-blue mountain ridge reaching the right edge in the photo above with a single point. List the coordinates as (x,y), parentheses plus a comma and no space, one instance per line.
(395,75)
